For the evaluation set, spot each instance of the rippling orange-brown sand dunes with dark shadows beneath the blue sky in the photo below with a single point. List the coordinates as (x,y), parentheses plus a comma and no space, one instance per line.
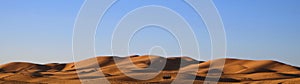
(234,71)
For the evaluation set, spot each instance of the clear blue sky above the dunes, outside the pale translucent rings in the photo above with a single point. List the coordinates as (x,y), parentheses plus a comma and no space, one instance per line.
(40,31)
